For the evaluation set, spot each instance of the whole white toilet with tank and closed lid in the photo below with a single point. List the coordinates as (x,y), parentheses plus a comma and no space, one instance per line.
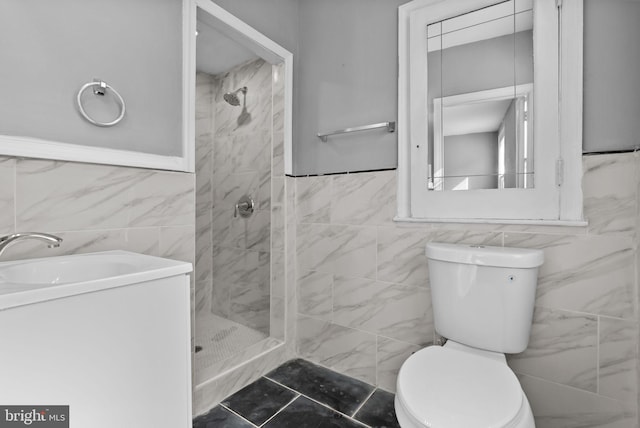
(483,300)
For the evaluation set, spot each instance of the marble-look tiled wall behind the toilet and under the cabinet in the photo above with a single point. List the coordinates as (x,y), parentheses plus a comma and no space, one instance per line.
(364,305)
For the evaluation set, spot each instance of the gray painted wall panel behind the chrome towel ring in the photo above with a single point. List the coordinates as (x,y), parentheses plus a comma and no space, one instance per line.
(48,50)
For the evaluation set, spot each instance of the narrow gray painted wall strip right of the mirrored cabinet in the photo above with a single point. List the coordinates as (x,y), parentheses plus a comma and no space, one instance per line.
(611,75)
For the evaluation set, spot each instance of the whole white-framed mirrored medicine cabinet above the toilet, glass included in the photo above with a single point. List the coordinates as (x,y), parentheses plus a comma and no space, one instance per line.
(490,111)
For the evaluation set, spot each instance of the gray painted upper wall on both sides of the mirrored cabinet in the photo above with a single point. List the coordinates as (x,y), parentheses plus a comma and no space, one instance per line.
(347,76)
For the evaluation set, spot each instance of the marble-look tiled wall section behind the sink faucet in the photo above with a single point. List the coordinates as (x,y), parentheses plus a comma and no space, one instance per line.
(96,208)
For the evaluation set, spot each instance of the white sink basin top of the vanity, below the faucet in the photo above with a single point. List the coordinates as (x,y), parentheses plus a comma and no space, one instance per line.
(31,281)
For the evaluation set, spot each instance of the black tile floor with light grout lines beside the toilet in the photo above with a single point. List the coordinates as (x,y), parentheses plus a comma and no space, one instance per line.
(299,394)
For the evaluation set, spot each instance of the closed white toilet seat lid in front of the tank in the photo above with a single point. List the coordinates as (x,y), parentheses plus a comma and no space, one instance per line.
(440,387)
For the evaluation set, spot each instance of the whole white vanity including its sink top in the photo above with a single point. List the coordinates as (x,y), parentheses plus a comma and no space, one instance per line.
(106,333)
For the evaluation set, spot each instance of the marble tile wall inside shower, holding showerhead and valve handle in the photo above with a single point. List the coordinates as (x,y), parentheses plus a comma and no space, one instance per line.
(234,151)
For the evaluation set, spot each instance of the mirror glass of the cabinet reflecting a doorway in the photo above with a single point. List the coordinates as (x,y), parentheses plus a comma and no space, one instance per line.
(480,77)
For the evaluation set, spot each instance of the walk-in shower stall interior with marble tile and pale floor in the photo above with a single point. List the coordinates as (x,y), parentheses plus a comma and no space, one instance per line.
(239,136)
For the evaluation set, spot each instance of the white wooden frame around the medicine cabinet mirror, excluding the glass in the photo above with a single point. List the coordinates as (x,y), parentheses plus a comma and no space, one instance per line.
(557,194)
